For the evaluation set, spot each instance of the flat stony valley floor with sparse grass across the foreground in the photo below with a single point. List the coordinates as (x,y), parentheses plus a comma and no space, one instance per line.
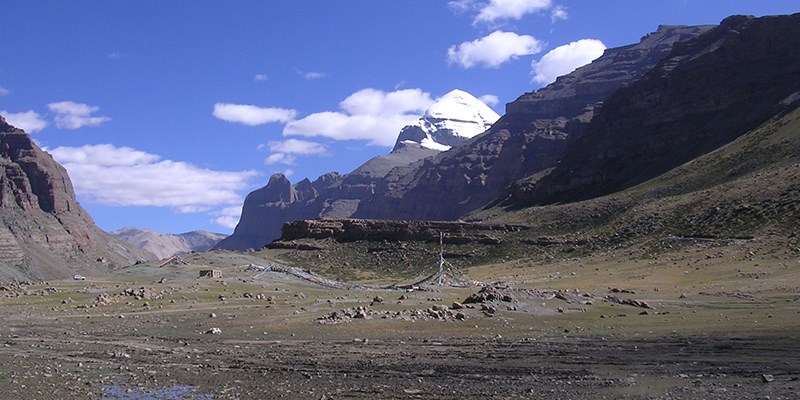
(726,328)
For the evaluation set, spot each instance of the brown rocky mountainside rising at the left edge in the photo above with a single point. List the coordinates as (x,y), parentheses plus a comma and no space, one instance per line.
(44,232)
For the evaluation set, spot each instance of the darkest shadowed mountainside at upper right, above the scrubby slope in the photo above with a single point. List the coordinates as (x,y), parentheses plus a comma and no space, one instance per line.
(708,92)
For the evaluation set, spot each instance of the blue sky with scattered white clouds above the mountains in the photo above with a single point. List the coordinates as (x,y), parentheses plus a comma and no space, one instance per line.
(167,113)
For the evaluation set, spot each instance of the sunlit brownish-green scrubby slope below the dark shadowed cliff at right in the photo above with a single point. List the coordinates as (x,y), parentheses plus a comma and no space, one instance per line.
(747,188)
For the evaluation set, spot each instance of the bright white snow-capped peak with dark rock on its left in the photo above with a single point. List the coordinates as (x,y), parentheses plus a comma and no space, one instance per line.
(453,118)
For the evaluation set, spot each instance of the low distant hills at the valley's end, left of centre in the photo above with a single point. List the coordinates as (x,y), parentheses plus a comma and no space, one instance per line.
(167,245)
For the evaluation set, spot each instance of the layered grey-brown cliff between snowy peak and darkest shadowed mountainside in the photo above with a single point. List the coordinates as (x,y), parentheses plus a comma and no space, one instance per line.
(529,138)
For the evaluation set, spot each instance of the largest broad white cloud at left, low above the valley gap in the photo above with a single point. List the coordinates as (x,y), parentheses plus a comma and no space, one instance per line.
(122,176)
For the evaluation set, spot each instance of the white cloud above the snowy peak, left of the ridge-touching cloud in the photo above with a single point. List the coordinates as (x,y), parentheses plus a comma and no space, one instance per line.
(493,50)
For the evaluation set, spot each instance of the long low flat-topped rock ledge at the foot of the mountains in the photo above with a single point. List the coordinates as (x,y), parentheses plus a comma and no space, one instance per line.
(351,230)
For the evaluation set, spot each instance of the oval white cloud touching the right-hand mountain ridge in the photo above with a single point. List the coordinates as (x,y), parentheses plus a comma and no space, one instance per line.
(565,59)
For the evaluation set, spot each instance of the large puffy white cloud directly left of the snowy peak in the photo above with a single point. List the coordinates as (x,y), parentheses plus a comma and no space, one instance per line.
(369,114)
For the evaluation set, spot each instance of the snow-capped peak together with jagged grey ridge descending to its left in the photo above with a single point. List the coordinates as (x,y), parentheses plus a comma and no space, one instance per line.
(452,119)
